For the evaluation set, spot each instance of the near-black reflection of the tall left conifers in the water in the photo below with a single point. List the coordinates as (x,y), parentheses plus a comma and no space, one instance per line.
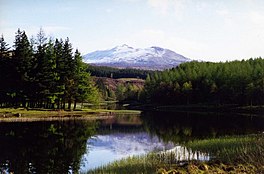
(44,147)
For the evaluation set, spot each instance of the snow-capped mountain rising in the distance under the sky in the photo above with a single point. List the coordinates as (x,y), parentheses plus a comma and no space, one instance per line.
(154,58)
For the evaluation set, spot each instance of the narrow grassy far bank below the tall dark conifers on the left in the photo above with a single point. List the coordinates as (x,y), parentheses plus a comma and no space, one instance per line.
(22,114)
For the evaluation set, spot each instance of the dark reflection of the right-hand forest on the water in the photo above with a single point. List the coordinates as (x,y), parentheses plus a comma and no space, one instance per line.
(181,127)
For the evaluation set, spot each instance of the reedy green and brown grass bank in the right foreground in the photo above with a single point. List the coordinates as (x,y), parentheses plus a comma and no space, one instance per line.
(230,155)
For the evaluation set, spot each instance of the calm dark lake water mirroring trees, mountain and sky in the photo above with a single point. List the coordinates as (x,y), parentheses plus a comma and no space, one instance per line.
(74,146)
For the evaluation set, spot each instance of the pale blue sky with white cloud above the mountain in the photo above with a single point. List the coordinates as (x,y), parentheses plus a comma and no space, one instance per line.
(211,30)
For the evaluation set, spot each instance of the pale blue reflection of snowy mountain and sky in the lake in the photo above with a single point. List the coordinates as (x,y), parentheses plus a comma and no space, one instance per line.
(120,145)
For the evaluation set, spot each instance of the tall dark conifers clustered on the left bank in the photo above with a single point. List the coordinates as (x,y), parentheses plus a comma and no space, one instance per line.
(43,72)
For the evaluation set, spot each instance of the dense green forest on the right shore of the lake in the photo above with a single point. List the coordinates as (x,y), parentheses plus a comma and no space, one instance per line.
(235,82)
